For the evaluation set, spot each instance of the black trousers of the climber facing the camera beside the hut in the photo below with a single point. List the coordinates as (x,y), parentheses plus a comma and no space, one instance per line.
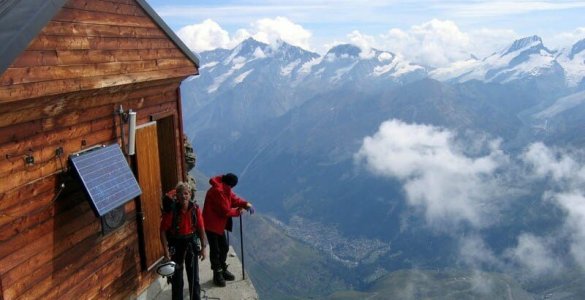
(185,250)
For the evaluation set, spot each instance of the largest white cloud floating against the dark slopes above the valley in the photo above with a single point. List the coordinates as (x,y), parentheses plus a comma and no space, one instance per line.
(438,177)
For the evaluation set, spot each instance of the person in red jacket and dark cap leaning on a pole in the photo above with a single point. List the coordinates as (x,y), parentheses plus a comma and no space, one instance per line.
(221,203)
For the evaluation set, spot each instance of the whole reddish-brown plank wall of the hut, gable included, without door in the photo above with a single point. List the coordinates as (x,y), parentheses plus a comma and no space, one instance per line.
(94,56)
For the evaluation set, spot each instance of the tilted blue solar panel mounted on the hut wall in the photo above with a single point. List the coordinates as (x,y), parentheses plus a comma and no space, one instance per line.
(106,177)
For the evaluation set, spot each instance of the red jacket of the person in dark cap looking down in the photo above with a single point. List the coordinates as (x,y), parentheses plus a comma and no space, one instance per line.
(220,205)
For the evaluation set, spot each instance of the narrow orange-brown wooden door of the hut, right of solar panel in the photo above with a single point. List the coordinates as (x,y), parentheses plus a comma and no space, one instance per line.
(148,173)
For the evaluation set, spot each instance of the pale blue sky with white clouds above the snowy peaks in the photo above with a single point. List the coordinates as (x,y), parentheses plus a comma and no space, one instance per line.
(479,27)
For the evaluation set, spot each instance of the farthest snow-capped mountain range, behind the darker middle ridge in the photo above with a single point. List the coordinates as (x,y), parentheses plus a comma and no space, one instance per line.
(254,82)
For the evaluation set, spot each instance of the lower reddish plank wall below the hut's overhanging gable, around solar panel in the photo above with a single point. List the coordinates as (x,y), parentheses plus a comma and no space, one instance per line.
(50,247)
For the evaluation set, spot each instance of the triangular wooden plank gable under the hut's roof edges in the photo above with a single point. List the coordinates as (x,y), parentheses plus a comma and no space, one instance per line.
(92,44)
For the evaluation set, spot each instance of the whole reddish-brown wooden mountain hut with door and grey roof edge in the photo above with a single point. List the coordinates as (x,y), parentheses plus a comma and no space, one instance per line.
(70,71)
